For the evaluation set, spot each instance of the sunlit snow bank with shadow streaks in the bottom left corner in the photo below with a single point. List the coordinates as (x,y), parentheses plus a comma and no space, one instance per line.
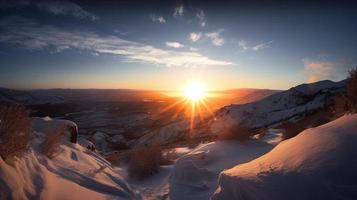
(75,173)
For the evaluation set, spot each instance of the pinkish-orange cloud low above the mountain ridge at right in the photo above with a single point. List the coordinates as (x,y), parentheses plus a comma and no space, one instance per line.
(321,68)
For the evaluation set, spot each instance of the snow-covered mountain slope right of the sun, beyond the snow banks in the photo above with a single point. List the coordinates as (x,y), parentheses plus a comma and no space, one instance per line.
(278,107)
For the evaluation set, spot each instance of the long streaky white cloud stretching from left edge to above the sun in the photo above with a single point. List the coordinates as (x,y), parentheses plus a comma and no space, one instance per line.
(26,34)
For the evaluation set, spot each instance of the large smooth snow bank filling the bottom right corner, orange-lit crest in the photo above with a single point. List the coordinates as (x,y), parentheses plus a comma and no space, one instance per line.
(319,163)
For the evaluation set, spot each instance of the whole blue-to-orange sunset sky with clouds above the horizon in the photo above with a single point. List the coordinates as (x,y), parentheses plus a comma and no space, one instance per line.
(163,45)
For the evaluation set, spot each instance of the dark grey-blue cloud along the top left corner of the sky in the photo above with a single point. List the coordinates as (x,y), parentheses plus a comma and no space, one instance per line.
(65,8)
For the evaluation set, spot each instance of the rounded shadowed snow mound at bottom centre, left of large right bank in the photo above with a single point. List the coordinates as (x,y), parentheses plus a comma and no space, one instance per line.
(195,174)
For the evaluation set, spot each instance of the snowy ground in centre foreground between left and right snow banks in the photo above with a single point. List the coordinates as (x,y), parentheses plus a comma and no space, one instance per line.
(195,171)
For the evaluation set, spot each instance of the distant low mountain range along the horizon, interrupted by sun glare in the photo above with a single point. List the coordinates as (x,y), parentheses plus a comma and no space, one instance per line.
(57,96)
